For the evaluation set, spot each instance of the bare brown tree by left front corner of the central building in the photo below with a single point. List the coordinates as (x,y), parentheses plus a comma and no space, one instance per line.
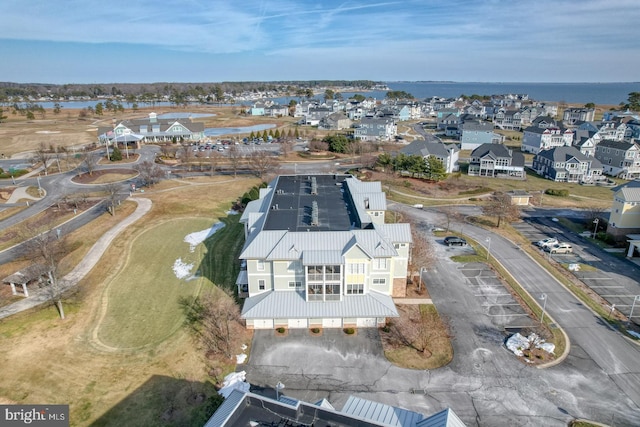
(213,318)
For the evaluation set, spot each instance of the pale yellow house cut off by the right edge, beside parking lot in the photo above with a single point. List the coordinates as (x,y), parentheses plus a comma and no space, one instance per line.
(624,218)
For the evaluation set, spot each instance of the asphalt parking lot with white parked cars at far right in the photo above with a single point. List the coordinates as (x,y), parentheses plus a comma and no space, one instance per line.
(614,279)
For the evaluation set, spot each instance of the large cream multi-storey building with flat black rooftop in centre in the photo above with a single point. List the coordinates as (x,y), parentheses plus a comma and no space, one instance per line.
(319,254)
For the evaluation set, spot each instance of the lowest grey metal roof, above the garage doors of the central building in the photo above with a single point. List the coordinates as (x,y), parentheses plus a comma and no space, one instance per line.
(292,305)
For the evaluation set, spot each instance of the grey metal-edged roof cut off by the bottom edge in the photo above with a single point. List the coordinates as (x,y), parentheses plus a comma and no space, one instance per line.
(245,408)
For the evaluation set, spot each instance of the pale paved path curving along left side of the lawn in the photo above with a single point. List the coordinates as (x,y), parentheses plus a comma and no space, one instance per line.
(84,267)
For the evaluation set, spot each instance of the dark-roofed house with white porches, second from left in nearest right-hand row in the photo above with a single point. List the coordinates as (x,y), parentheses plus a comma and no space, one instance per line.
(496,161)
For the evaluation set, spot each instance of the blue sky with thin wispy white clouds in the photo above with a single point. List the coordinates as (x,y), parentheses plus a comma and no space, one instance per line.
(89,41)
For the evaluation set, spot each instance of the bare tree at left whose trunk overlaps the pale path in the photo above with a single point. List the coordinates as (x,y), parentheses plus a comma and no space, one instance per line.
(49,249)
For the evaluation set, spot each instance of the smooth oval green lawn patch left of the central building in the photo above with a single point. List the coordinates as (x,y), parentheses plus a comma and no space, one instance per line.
(142,306)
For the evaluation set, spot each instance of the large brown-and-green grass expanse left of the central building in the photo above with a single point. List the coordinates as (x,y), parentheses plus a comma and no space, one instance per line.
(46,360)
